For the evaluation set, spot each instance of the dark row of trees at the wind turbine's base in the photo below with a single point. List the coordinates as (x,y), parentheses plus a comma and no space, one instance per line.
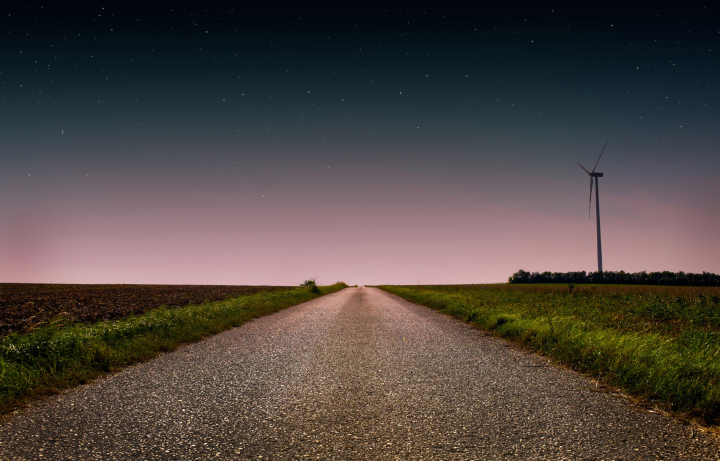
(706,279)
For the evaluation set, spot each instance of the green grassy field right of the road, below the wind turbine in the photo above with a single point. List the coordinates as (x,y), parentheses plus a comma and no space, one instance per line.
(662,343)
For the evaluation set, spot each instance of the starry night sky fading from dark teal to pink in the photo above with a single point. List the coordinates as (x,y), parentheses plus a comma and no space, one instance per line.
(223,143)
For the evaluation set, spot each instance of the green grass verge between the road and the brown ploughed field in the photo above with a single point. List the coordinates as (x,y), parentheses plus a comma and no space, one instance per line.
(62,354)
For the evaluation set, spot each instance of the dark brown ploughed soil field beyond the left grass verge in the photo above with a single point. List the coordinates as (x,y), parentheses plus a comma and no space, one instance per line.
(26,305)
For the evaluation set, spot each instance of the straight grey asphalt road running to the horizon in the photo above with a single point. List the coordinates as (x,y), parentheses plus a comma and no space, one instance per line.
(359,374)
